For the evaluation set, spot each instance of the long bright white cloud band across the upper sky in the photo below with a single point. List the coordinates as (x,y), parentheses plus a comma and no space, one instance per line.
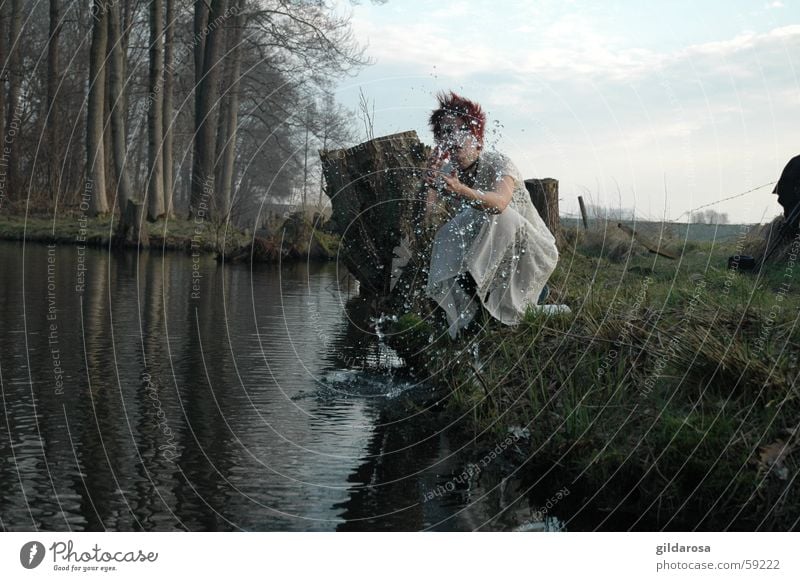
(462,42)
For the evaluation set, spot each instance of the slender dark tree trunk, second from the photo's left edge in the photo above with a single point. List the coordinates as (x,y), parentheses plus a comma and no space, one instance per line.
(52,118)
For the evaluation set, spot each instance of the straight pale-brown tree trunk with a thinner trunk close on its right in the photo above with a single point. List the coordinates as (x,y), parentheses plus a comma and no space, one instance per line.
(155,114)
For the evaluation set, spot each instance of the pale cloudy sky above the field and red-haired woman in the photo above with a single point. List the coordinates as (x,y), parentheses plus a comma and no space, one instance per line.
(662,107)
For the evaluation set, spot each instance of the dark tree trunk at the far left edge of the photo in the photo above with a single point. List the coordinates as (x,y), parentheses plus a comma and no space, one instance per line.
(14,83)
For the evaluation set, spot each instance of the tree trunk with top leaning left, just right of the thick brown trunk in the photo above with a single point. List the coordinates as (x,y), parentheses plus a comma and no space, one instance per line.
(117,102)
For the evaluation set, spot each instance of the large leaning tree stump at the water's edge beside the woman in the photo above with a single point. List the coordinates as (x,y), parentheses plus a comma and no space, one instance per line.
(376,195)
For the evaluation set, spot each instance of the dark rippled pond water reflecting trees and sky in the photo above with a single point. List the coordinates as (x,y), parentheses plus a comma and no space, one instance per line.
(169,392)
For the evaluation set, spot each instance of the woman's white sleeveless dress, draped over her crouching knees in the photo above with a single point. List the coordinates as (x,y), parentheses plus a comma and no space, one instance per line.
(509,255)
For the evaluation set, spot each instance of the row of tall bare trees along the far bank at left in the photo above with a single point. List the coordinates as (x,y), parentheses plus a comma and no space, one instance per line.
(194,108)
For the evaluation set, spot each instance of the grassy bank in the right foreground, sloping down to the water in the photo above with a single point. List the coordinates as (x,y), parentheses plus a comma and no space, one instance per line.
(667,399)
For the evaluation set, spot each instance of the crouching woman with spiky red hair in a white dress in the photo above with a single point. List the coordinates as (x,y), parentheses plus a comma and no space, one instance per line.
(496,248)
